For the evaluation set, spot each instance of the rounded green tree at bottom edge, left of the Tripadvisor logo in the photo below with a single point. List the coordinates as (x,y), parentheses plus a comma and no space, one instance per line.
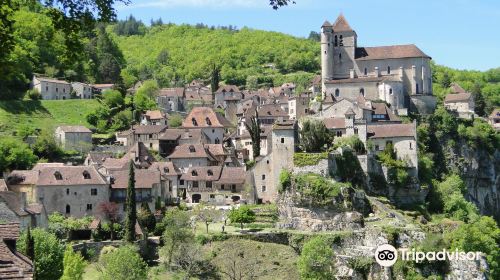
(316,260)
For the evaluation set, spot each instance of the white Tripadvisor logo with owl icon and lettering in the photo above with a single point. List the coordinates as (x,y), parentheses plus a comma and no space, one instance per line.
(386,255)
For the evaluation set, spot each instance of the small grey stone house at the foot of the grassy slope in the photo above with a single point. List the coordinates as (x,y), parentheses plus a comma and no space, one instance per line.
(74,137)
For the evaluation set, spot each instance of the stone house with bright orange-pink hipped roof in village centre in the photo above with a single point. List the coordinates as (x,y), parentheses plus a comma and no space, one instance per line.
(212,124)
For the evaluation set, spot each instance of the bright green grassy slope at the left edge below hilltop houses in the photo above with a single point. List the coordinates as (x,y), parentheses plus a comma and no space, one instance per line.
(44,114)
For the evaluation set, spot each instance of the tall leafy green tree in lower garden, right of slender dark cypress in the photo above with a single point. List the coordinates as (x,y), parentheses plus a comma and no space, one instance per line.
(177,231)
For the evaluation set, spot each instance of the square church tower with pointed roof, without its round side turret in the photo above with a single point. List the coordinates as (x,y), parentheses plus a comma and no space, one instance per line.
(344,48)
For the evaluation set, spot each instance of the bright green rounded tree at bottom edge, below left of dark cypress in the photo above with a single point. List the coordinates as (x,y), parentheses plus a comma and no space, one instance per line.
(123,263)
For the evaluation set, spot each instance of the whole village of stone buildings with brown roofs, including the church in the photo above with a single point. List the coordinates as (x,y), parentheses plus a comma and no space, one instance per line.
(365,91)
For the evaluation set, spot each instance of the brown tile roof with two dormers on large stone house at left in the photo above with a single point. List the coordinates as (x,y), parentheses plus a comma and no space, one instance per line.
(70,175)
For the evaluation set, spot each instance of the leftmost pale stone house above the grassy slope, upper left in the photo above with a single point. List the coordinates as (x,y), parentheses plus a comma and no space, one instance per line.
(51,89)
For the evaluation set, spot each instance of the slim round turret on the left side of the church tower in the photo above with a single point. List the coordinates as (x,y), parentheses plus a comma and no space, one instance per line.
(326,55)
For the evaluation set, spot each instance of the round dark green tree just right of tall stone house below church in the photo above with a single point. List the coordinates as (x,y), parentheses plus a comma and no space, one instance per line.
(314,136)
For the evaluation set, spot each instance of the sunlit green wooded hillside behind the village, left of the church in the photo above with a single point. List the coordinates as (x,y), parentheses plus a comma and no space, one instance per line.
(183,52)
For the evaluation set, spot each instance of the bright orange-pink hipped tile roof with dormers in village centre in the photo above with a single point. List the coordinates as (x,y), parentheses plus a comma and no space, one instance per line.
(201,117)
